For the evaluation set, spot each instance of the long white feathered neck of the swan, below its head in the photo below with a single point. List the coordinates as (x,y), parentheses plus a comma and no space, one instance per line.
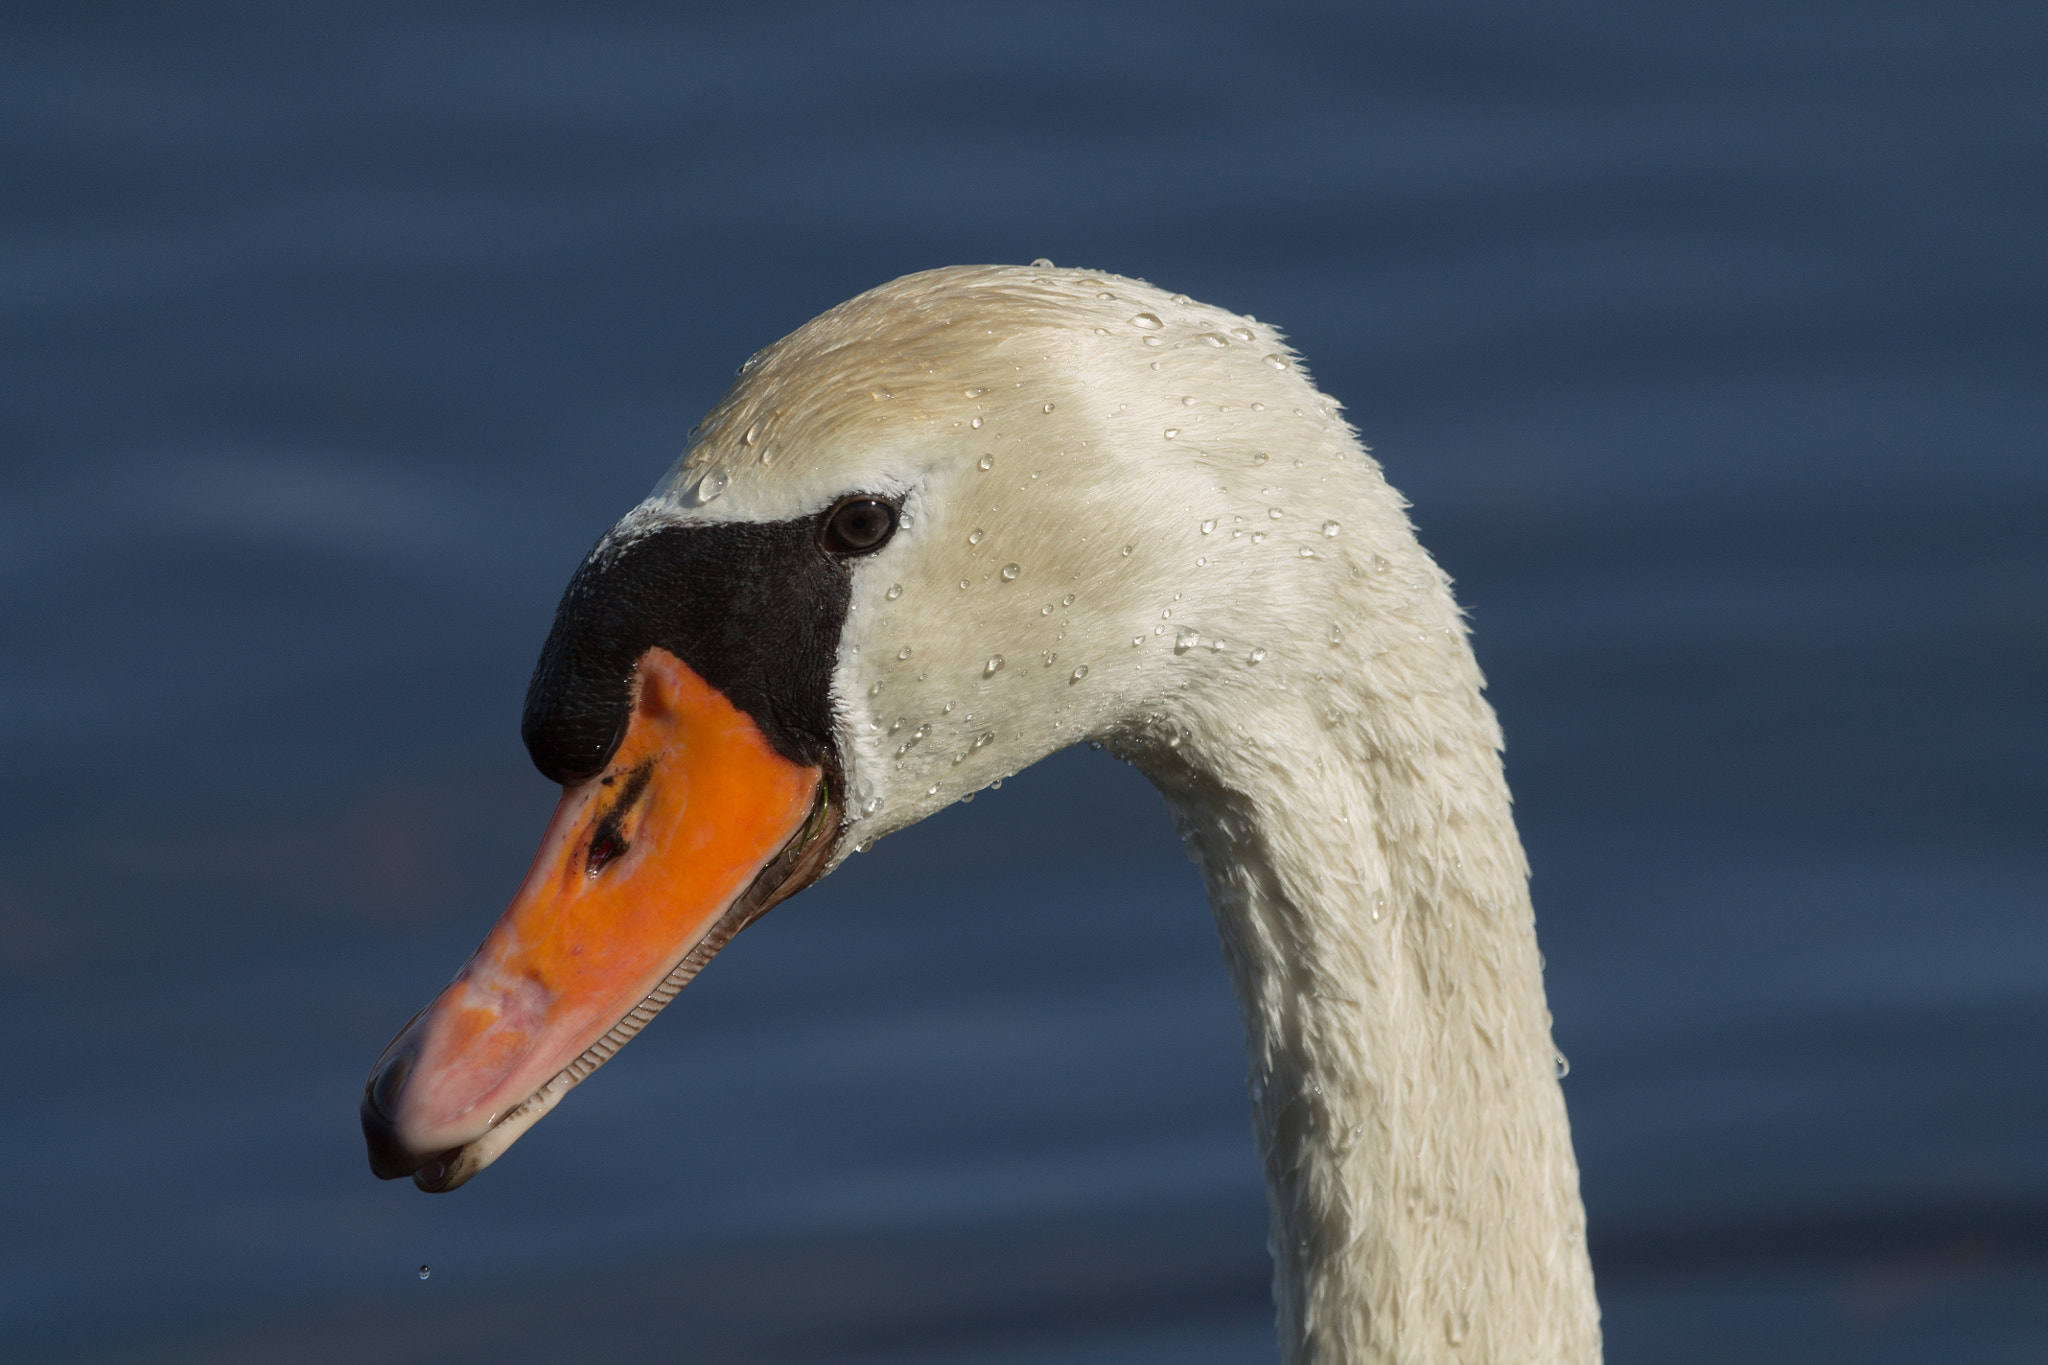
(1373,904)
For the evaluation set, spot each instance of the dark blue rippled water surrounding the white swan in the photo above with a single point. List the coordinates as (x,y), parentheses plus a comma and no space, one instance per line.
(1707,343)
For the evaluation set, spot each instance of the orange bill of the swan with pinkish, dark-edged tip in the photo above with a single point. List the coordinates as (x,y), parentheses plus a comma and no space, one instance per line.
(644,873)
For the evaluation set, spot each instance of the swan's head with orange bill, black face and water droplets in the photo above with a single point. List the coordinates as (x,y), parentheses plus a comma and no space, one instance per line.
(925,541)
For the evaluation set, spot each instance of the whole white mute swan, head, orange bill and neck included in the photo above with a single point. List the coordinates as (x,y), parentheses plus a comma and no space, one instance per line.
(945,531)
